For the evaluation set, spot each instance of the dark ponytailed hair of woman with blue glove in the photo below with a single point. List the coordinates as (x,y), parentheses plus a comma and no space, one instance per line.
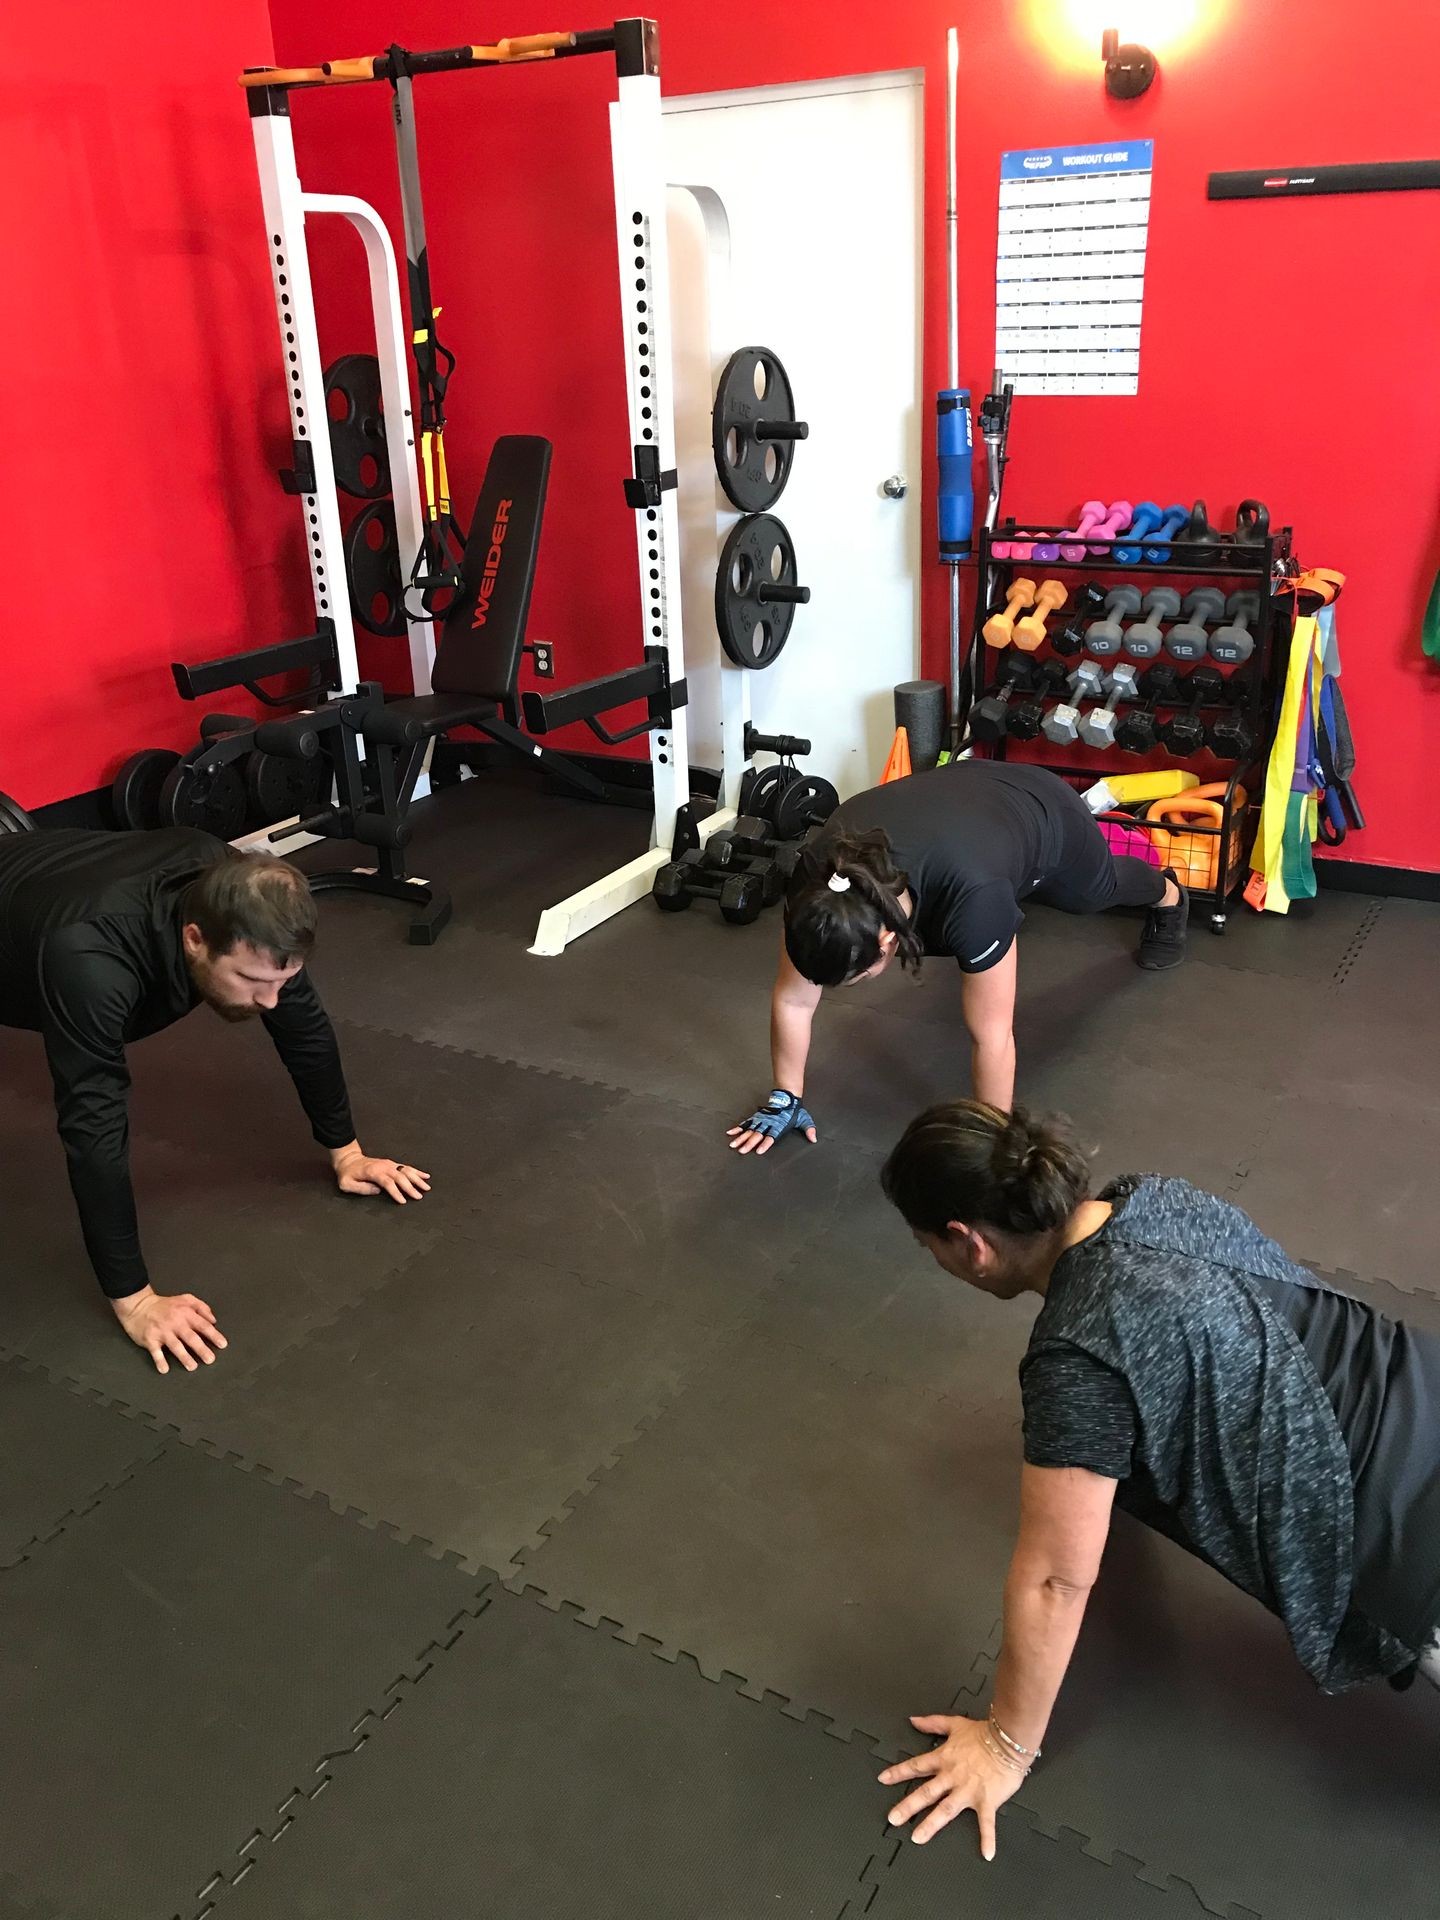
(832,936)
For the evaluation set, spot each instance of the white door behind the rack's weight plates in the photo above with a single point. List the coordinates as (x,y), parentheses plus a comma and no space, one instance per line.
(823,195)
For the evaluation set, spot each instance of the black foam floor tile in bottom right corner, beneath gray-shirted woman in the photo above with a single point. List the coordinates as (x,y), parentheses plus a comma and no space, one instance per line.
(1189,1739)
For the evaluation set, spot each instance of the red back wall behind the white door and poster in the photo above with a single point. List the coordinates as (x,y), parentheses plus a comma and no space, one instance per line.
(1289,350)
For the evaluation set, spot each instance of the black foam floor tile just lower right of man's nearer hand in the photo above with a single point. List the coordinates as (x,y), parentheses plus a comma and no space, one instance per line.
(469,1399)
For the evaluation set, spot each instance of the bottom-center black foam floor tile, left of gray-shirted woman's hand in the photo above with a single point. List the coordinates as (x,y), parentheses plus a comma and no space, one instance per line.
(468,1802)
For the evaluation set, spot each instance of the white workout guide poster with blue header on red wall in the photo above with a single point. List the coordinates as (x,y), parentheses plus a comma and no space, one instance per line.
(1070,270)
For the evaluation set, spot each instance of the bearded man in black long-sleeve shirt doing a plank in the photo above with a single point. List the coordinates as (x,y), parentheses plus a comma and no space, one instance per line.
(108,938)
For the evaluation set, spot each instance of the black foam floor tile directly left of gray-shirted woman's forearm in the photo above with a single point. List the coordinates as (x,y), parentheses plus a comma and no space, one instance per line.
(836,1539)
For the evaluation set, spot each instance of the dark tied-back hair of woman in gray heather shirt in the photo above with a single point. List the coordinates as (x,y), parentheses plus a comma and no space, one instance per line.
(980,1166)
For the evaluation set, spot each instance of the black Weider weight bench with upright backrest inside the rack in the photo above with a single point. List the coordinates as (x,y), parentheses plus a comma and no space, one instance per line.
(475,686)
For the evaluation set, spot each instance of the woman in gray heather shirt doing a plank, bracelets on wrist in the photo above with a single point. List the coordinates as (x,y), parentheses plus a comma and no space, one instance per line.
(1180,1356)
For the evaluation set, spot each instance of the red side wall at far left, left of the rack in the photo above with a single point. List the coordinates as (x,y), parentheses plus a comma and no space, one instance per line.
(141,521)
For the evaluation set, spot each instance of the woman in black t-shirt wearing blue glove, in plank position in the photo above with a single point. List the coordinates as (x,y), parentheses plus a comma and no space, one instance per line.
(940,865)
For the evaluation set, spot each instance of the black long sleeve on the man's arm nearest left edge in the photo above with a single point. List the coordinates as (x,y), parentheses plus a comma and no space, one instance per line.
(87,996)
